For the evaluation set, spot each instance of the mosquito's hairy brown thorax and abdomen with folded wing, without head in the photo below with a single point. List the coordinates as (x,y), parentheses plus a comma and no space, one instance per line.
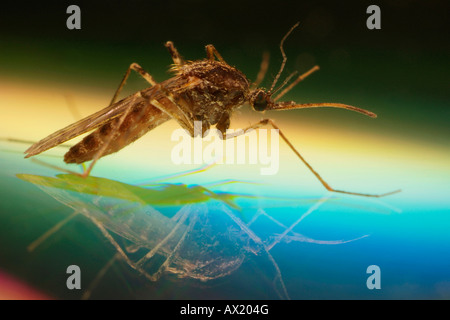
(203,90)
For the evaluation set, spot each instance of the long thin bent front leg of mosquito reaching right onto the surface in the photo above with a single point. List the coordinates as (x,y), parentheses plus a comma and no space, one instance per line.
(322,181)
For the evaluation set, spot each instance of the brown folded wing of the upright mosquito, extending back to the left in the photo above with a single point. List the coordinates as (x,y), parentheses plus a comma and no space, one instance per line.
(84,125)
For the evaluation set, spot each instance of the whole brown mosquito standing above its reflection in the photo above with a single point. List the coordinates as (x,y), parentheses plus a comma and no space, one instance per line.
(206,90)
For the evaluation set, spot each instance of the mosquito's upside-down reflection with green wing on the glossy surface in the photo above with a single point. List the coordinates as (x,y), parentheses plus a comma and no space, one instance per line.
(192,243)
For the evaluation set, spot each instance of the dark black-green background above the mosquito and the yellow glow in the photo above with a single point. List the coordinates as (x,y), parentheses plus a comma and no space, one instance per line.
(400,72)
